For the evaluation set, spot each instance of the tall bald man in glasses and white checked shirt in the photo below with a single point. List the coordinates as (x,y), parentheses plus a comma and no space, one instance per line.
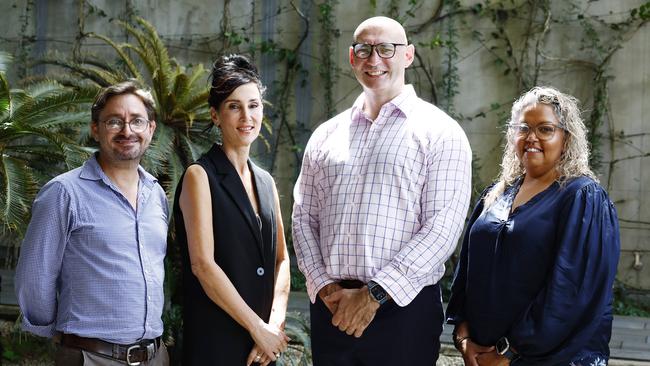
(379,205)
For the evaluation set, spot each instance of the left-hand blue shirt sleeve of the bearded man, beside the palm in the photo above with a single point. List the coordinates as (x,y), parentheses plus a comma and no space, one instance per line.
(41,255)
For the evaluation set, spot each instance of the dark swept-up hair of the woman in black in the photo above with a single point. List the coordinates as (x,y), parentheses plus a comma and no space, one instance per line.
(228,73)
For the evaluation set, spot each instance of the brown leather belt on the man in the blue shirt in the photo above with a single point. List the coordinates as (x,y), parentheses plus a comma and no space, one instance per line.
(132,354)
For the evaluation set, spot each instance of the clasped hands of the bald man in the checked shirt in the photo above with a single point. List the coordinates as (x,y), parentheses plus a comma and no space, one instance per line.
(355,310)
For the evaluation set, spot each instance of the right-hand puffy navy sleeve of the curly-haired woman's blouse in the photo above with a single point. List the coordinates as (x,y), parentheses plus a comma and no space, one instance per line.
(568,311)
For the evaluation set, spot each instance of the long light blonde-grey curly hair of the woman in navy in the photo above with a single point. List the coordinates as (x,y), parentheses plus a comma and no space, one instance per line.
(574,161)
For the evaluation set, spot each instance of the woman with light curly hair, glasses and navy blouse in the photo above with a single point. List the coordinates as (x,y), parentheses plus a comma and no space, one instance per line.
(534,282)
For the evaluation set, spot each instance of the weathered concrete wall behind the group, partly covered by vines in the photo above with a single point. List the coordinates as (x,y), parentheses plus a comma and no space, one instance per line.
(192,30)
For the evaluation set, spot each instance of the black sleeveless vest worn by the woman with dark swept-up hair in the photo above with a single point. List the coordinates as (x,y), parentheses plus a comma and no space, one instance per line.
(245,251)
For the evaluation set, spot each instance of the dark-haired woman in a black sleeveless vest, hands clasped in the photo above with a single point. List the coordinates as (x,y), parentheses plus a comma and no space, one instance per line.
(229,226)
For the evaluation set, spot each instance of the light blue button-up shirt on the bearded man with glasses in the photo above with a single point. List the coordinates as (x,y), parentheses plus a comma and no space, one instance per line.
(90,264)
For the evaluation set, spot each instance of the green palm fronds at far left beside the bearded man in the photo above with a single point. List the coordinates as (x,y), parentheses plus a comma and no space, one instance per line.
(35,124)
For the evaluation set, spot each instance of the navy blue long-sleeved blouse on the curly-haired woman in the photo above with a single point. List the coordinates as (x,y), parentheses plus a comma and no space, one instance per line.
(542,275)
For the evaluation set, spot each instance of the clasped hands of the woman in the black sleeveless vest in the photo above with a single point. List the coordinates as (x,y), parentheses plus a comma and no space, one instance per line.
(270,341)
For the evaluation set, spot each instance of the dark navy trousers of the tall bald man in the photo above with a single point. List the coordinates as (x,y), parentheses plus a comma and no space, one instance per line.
(397,335)
